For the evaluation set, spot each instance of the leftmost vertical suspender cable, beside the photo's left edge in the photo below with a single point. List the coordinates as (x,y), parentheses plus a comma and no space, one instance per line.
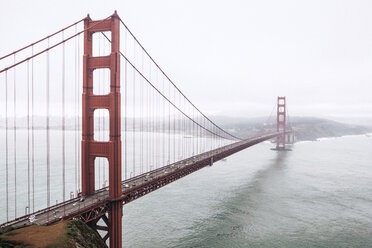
(6,146)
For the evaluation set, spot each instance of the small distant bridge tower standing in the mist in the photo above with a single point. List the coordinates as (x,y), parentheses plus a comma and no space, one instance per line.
(281,123)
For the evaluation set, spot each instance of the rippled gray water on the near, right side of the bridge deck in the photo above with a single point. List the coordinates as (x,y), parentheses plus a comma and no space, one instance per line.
(317,195)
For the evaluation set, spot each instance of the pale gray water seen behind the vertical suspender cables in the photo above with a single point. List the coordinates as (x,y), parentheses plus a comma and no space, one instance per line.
(145,152)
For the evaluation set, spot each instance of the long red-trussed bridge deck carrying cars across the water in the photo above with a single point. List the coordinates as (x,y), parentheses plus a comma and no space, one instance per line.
(96,205)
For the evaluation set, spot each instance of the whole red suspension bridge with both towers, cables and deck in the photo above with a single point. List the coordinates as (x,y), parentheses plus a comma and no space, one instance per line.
(69,99)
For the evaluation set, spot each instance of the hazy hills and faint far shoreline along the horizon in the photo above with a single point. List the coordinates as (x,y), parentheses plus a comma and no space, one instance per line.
(305,128)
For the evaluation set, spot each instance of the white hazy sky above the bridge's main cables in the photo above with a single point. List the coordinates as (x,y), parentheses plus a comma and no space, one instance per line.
(234,57)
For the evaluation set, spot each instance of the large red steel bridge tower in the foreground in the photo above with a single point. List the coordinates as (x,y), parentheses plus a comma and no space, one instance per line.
(111,149)
